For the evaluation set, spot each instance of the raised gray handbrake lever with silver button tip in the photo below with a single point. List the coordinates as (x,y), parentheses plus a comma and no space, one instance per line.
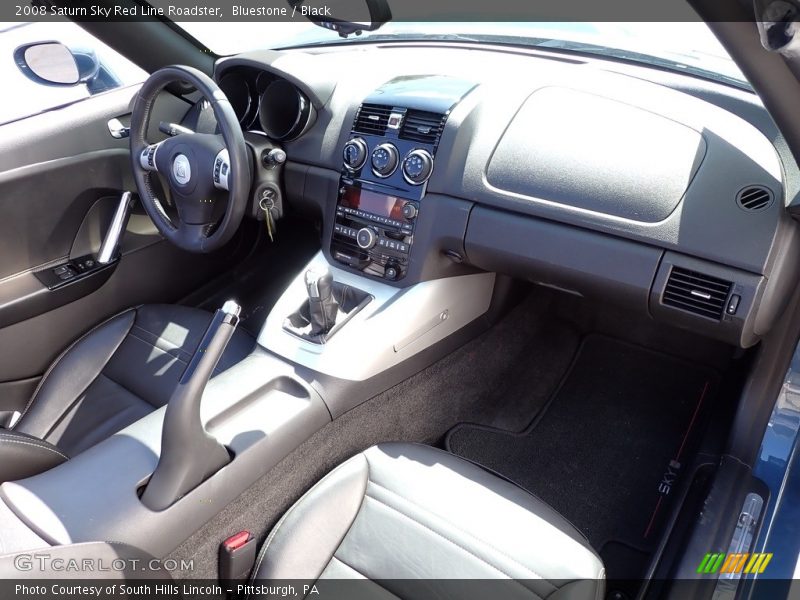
(189,455)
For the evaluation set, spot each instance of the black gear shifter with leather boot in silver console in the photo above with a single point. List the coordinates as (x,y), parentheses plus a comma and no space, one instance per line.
(329,306)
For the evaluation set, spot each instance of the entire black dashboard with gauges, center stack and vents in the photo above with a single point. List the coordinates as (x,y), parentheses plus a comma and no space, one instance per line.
(428,161)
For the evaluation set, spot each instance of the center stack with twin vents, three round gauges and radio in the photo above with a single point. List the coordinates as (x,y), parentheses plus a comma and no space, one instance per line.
(387,162)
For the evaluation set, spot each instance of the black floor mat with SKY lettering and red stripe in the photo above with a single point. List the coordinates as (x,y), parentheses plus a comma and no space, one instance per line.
(609,446)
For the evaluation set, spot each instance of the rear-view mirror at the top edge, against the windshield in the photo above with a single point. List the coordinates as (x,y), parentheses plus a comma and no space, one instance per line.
(351,16)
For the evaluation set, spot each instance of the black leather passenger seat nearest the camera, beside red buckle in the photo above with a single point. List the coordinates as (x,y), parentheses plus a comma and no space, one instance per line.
(420,522)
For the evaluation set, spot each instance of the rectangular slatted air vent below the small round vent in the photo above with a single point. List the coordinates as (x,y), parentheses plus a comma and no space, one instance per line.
(696,293)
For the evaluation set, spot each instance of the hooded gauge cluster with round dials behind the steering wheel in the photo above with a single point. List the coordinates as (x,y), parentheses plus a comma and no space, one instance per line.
(267,103)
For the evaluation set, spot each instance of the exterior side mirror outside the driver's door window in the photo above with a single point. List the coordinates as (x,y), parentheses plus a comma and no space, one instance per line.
(52,63)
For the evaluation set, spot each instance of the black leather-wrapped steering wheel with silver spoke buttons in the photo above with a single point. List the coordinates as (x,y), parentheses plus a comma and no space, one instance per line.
(198,167)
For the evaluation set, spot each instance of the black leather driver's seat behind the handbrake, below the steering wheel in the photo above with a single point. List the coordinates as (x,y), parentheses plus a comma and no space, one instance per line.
(114,375)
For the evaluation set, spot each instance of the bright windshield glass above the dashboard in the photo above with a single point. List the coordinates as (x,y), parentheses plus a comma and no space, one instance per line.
(688,47)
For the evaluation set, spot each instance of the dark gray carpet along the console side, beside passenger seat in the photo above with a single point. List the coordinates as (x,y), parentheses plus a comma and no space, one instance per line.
(501,379)
